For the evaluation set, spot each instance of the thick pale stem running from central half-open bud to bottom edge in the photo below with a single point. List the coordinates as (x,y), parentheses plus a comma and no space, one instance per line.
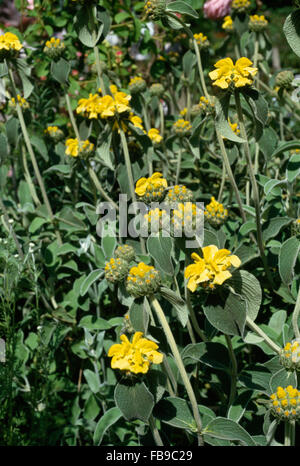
(180,365)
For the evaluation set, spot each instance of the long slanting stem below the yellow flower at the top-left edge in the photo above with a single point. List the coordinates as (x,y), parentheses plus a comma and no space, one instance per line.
(31,153)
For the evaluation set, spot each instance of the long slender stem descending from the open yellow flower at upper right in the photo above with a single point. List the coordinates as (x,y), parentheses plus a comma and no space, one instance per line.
(254,187)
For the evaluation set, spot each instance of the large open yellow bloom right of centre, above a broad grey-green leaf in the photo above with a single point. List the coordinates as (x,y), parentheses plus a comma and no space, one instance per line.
(212,268)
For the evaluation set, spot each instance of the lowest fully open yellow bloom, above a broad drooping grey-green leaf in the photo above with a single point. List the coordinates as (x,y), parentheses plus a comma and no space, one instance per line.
(135,356)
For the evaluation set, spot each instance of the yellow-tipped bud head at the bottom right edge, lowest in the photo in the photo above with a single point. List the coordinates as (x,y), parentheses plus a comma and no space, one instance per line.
(285,403)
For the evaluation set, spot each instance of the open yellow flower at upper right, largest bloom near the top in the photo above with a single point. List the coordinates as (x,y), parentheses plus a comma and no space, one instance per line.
(241,74)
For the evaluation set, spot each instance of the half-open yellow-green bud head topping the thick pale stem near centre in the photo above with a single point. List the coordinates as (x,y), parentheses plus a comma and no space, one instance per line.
(143,280)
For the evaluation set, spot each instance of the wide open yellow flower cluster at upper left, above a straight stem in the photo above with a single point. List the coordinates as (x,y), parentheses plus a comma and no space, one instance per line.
(106,106)
